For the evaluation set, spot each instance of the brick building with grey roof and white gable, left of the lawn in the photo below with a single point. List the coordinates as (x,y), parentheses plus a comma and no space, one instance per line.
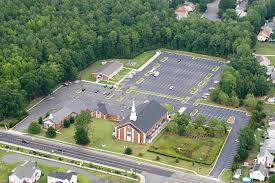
(55,120)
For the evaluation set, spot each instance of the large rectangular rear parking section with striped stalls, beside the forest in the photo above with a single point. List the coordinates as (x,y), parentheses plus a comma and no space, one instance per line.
(179,72)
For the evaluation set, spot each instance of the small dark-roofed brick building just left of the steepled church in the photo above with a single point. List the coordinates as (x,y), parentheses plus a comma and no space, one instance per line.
(103,112)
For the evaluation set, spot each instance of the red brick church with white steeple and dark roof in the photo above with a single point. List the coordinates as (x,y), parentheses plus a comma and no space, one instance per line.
(143,124)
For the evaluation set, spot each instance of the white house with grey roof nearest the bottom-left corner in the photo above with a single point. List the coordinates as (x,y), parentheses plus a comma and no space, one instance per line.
(25,173)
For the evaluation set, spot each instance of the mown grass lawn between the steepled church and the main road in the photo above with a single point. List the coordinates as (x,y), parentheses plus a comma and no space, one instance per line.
(101,138)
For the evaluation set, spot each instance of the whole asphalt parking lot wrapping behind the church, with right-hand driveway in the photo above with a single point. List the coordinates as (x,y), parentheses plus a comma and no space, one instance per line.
(183,76)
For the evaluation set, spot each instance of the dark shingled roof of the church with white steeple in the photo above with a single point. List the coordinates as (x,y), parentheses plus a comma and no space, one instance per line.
(147,115)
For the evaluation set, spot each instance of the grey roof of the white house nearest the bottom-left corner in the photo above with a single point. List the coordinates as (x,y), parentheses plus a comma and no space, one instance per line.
(25,170)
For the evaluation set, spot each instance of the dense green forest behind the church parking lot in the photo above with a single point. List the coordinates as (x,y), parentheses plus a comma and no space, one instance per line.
(45,42)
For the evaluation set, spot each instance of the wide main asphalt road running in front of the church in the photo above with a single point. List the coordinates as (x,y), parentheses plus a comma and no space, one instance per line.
(151,173)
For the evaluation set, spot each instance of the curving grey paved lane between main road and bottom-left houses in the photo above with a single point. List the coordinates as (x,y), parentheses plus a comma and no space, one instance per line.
(12,158)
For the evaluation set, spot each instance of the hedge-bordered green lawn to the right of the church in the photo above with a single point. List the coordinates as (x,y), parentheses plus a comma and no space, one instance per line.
(203,150)
